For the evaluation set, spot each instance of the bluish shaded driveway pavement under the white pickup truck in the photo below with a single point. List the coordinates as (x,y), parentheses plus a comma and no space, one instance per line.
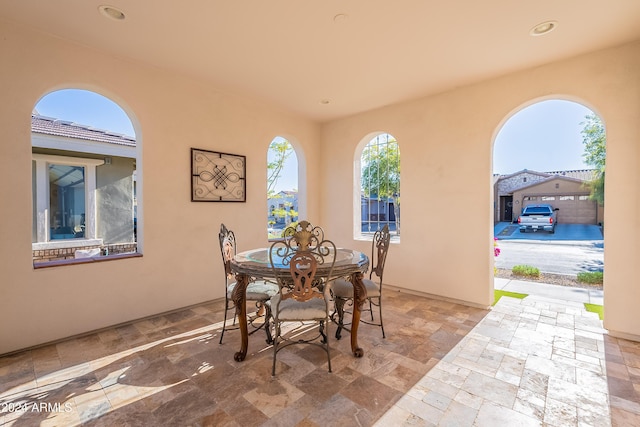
(564,232)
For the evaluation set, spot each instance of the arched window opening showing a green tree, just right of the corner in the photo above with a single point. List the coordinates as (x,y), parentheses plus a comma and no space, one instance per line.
(380,185)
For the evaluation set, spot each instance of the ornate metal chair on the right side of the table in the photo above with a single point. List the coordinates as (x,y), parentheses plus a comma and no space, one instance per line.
(343,290)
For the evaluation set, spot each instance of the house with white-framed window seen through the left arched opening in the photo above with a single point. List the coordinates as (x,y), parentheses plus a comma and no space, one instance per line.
(83,190)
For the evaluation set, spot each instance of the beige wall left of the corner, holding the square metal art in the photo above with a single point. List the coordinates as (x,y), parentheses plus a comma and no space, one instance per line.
(181,262)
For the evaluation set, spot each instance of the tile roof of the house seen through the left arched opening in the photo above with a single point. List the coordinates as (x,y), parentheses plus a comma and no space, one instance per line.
(52,126)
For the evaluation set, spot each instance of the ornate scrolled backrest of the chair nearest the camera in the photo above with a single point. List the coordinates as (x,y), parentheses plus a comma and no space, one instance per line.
(296,260)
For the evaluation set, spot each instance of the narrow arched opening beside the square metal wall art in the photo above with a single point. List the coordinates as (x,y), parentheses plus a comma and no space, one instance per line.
(282,186)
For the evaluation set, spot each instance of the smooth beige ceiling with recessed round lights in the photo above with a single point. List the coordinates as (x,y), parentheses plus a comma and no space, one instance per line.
(327,59)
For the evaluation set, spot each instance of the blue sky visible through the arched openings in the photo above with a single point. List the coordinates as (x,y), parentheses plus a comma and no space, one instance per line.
(543,137)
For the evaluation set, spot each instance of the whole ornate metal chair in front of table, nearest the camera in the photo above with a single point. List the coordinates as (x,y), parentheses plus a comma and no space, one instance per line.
(303,297)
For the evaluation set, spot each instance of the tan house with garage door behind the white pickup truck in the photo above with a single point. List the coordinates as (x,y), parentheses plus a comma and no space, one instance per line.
(565,190)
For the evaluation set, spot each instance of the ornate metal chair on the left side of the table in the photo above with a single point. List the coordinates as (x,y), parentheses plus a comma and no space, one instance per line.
(258,291)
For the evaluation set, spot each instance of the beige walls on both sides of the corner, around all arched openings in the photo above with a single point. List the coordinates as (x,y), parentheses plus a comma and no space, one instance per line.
(446,143)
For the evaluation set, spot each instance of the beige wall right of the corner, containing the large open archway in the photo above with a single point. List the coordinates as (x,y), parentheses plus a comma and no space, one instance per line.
(446,150)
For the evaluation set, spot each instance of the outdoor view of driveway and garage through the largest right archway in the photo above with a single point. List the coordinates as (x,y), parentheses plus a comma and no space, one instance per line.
(551,152)
